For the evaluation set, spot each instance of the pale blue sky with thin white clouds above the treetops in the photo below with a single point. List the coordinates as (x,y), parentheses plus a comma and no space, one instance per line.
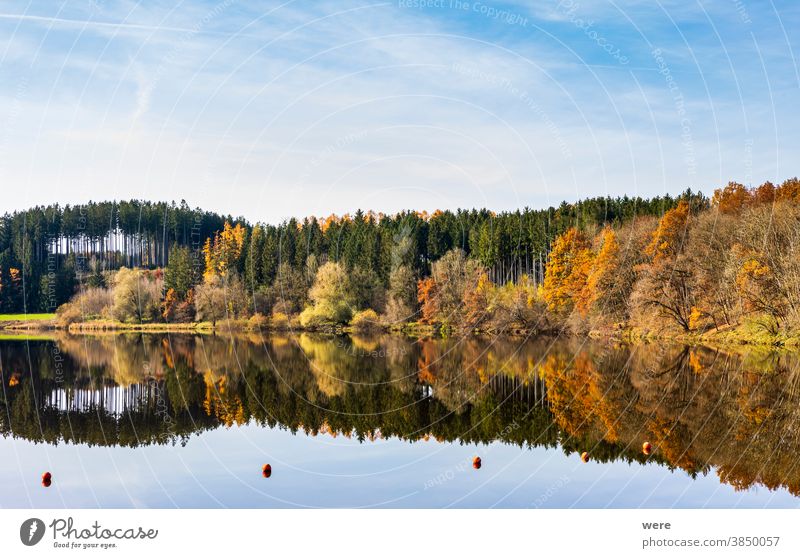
(269,109)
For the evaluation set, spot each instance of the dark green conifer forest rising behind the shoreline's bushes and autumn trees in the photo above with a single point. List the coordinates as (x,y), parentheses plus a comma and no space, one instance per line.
(46,252)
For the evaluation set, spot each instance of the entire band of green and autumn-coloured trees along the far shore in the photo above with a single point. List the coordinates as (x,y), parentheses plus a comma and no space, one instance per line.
(685,263)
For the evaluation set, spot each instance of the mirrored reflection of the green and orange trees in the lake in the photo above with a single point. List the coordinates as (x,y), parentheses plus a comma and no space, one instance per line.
(700,409)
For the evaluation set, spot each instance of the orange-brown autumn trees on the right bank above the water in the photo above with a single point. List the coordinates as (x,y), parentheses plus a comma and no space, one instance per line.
(696,269)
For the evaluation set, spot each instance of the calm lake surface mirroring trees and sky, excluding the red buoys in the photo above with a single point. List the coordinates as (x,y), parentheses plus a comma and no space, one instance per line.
(143,420)
